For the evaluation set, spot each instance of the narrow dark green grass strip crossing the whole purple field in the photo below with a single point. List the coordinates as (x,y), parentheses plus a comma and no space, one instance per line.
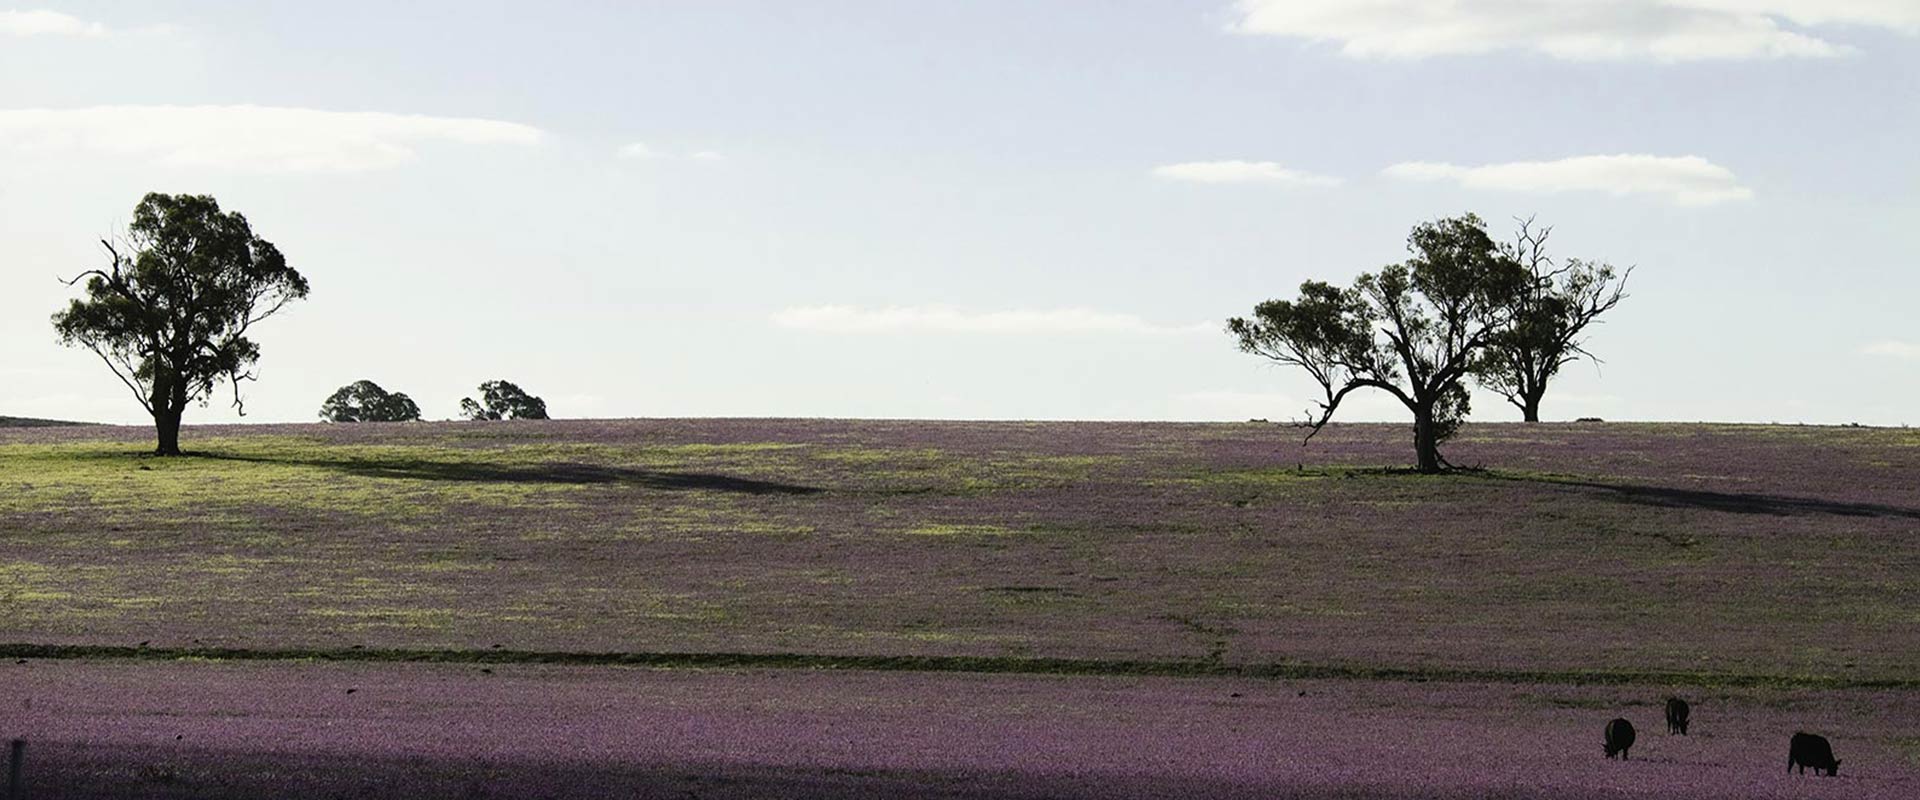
(972,665)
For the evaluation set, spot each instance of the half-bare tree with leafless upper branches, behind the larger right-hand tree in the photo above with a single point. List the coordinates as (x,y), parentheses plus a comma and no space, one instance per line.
(1548,321)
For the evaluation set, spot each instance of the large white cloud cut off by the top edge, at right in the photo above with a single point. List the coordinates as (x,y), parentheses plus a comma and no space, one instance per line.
(1575,30)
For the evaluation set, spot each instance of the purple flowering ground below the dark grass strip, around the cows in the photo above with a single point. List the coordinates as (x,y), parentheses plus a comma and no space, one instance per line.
(439,732)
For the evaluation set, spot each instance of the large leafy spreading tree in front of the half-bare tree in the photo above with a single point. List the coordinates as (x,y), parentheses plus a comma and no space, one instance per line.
(1412,329)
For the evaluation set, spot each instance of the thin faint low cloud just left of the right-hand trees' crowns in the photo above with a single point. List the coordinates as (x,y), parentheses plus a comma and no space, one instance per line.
(852,319)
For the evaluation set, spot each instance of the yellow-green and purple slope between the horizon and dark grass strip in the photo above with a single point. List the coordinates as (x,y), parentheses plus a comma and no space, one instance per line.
(1777,553)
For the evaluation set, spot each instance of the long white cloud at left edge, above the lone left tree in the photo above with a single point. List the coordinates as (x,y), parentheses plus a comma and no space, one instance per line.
(258,139)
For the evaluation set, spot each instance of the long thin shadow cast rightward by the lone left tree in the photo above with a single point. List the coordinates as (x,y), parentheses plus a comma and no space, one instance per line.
(552,473)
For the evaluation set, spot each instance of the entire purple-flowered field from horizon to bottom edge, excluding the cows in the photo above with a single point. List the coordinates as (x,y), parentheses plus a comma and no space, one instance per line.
(1583,573)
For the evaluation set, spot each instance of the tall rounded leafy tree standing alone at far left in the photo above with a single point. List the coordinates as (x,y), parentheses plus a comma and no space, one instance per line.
(172,312)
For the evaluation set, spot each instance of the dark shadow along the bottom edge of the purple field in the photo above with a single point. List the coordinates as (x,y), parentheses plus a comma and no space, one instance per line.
(64,770)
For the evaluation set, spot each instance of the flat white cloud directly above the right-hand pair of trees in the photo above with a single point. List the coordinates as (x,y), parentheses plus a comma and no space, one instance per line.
(1687,181)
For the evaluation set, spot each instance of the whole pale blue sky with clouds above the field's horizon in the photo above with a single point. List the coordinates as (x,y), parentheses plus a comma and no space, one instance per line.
(972,210)
